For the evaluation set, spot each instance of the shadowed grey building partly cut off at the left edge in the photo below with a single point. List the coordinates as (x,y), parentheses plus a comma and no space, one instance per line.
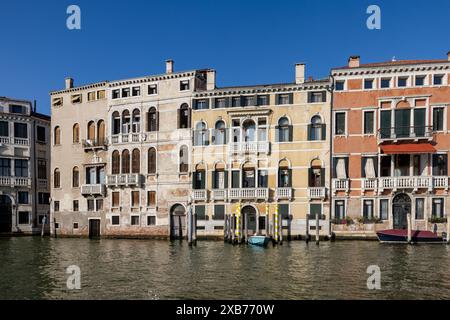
(24,168)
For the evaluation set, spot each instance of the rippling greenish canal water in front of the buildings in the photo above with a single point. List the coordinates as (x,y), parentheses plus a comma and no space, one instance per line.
(34,268)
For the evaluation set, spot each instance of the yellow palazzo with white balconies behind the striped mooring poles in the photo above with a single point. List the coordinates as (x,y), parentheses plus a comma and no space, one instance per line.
(258,150)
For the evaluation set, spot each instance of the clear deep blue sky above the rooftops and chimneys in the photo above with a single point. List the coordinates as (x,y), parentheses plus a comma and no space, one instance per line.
(246,41)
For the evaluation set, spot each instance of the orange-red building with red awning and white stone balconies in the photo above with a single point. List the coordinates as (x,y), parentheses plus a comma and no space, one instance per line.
(390,145)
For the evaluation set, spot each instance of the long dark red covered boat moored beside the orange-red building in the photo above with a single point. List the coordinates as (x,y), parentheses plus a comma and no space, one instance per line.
(401,236)
